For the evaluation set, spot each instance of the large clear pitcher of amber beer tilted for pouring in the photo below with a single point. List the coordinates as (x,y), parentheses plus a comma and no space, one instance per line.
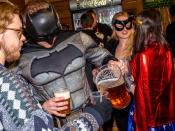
(109,78)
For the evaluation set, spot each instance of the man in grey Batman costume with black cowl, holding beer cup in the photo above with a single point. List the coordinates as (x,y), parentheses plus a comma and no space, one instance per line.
(53,59)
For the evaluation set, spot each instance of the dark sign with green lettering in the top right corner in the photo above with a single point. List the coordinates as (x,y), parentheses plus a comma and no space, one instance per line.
(156,3)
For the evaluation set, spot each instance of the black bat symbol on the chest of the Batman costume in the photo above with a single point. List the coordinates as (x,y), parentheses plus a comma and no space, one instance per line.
(56,61)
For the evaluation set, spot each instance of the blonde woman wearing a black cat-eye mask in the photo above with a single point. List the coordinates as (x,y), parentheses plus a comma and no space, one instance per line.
(121,46)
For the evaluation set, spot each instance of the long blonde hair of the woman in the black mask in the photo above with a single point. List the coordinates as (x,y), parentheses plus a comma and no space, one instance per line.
(129,45)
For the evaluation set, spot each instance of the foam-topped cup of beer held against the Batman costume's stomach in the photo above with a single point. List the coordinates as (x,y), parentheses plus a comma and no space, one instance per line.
(66,94)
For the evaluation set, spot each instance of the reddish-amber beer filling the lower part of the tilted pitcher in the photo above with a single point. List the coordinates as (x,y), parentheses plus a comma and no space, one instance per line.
(119,96)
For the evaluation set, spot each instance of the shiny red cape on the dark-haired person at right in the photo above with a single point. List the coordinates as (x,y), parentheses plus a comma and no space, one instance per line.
(154,95)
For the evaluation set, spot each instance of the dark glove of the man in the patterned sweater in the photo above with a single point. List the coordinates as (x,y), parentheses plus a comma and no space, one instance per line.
(104,109)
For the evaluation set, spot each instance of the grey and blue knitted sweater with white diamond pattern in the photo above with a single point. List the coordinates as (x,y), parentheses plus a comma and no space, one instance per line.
(20,111)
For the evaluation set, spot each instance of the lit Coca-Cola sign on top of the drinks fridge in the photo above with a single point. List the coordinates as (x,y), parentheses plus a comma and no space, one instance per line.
(85,4)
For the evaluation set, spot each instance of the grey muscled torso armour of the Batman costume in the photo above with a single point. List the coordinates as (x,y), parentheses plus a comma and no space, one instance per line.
(71,75)
